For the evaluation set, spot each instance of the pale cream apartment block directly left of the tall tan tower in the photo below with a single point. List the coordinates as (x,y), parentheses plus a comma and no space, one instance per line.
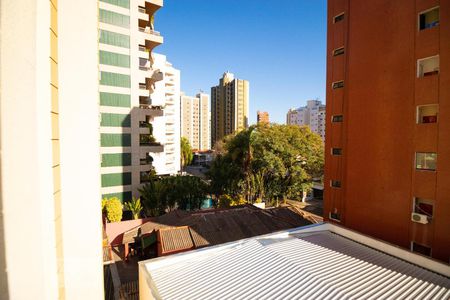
(195,122)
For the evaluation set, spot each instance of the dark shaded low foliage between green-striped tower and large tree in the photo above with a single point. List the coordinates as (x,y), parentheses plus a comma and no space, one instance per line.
(164,194)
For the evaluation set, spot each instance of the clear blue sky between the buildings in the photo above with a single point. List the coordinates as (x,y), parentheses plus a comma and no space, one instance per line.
(277,45)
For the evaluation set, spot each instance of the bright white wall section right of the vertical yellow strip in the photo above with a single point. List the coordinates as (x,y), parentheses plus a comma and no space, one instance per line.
(80,149)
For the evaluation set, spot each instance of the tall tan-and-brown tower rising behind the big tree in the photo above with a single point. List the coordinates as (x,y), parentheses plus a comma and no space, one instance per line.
(229,107)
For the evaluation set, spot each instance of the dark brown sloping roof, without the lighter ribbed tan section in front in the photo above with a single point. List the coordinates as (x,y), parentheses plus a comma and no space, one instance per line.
(220,226)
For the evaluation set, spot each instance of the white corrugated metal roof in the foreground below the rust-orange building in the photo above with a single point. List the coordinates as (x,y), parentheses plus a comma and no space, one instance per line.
(317,265)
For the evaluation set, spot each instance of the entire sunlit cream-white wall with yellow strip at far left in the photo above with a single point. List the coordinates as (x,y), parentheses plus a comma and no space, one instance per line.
(44,247)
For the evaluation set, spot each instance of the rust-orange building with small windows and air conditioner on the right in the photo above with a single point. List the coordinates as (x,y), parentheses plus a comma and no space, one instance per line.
(387,170)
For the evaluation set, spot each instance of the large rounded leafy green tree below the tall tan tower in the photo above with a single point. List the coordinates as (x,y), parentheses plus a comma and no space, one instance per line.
(268,162)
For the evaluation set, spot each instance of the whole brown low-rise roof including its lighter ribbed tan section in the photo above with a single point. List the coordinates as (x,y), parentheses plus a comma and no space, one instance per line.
(181,231)
